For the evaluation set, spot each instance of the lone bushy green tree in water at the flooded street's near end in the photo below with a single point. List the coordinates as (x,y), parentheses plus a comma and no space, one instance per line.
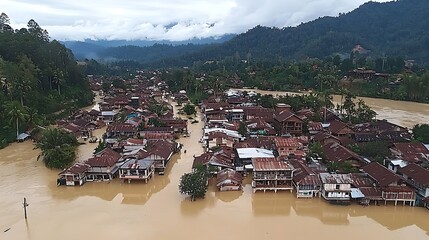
(194,184)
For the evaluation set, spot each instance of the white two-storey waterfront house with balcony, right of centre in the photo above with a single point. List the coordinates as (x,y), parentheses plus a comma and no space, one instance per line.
(336,188)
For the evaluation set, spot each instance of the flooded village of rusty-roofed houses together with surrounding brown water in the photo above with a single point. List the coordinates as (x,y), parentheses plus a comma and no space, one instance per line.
(277,173)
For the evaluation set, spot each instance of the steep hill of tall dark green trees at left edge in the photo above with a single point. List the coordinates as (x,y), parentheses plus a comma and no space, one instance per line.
(38,77)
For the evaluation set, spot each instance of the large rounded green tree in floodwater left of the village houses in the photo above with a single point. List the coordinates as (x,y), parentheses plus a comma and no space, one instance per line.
(58,148)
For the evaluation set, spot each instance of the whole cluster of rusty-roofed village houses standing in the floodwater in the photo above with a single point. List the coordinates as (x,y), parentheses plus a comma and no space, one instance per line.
(244,140)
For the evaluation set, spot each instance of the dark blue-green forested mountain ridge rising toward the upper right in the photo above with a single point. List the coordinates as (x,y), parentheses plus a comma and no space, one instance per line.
(399,28)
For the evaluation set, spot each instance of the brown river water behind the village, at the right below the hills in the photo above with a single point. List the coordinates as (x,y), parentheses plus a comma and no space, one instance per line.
(403,113)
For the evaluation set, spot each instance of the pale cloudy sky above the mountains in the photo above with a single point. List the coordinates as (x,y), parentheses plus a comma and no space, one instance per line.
(165,19)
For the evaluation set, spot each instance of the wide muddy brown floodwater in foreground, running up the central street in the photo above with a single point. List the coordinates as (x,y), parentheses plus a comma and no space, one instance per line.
(157,210)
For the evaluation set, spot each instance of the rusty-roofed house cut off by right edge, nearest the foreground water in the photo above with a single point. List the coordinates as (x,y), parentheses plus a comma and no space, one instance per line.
(418,177)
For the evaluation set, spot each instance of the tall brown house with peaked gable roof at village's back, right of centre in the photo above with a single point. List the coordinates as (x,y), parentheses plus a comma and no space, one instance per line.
(286,122)
